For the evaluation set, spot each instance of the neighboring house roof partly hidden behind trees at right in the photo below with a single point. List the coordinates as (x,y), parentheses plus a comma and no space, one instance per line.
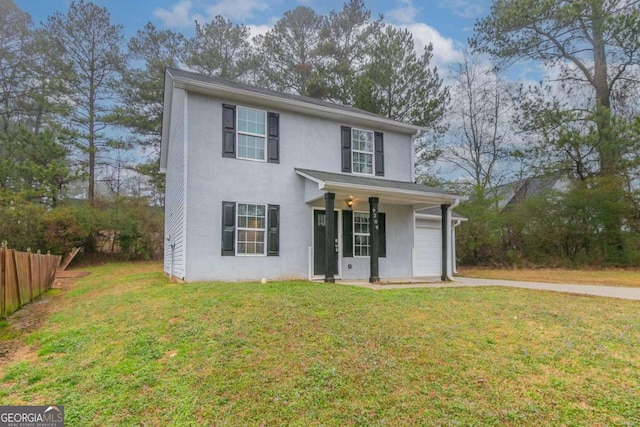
(517,192)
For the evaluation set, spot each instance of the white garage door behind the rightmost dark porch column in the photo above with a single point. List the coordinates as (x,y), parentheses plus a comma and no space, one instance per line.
(427,251)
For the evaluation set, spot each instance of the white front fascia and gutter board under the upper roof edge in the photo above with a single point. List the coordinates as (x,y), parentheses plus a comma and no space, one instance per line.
(296,105)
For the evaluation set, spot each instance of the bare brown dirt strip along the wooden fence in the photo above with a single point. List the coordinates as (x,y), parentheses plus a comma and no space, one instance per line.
(31,317)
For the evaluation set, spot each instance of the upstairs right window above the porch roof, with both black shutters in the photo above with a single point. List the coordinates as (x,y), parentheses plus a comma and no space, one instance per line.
(362,151)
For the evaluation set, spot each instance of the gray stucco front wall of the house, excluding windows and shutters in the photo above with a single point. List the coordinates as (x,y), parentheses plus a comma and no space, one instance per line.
(305,142)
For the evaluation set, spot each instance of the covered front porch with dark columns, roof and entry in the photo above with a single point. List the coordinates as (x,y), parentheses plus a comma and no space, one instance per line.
(363,228)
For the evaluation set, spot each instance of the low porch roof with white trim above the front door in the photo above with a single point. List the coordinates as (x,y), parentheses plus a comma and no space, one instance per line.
(397,191)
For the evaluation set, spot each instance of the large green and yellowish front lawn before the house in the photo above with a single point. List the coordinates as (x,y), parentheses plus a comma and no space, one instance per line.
(126,347)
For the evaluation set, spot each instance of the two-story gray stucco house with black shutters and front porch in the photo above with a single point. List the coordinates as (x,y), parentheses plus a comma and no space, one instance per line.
(261,184)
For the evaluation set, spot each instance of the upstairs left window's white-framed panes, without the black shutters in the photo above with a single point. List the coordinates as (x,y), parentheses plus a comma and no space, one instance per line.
(251,133)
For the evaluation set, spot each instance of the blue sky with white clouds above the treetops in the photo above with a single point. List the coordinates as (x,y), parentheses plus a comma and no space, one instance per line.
(445,23)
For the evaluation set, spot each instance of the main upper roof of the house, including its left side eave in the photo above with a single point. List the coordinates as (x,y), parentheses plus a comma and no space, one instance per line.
(241,92)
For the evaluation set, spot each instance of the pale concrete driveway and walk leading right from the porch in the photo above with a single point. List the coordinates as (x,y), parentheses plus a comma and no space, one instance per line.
(602,291)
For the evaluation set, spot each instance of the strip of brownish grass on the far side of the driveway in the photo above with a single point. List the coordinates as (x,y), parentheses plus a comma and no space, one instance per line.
(608,277)
